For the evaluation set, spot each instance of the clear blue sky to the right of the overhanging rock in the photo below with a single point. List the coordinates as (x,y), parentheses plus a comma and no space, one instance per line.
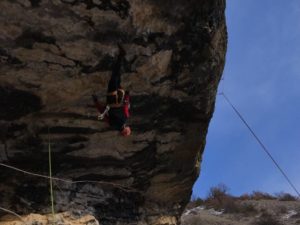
(262,79)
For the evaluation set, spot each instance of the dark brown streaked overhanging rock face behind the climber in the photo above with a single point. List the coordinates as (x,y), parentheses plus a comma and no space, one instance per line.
(55,54)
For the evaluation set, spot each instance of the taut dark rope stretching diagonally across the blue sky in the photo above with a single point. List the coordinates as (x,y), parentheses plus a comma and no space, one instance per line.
(261,143)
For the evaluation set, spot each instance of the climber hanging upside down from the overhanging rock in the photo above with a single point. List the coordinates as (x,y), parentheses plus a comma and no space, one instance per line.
(117,107)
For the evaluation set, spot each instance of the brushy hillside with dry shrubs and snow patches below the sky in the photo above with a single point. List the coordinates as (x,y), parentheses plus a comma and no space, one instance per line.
(257,208)
